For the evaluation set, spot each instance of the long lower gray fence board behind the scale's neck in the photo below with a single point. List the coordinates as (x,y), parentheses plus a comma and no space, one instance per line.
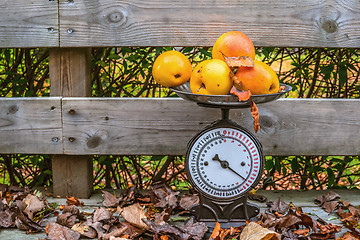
(164,126)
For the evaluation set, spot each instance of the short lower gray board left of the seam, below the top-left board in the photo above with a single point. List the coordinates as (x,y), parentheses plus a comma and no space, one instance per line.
(30,125)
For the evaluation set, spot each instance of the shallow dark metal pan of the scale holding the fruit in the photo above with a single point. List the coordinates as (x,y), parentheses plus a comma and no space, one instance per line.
(226,101)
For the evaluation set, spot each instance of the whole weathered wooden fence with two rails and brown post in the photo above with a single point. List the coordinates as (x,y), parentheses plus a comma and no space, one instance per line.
(71,126)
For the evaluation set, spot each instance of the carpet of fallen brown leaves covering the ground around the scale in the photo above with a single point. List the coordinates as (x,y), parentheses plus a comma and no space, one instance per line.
(161,213)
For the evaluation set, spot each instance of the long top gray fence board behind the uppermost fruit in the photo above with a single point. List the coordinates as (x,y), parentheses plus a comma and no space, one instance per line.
(291,23)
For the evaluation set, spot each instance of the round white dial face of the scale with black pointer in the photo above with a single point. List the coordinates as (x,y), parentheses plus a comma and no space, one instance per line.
(224,163)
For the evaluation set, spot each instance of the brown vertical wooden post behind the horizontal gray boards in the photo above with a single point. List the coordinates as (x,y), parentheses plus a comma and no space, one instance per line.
(70,76)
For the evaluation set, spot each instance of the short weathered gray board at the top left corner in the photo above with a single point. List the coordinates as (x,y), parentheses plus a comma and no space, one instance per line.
(29,23)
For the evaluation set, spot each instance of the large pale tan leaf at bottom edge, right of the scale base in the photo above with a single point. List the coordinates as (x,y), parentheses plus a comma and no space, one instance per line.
(254,231)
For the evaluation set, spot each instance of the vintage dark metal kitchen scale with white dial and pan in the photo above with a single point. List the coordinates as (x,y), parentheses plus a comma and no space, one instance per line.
(224,161)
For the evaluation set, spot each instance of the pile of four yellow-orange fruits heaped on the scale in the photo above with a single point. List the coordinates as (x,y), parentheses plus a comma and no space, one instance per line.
(232,69)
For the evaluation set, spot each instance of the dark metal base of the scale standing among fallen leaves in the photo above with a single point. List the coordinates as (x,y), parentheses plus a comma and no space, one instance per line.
(231,213)
